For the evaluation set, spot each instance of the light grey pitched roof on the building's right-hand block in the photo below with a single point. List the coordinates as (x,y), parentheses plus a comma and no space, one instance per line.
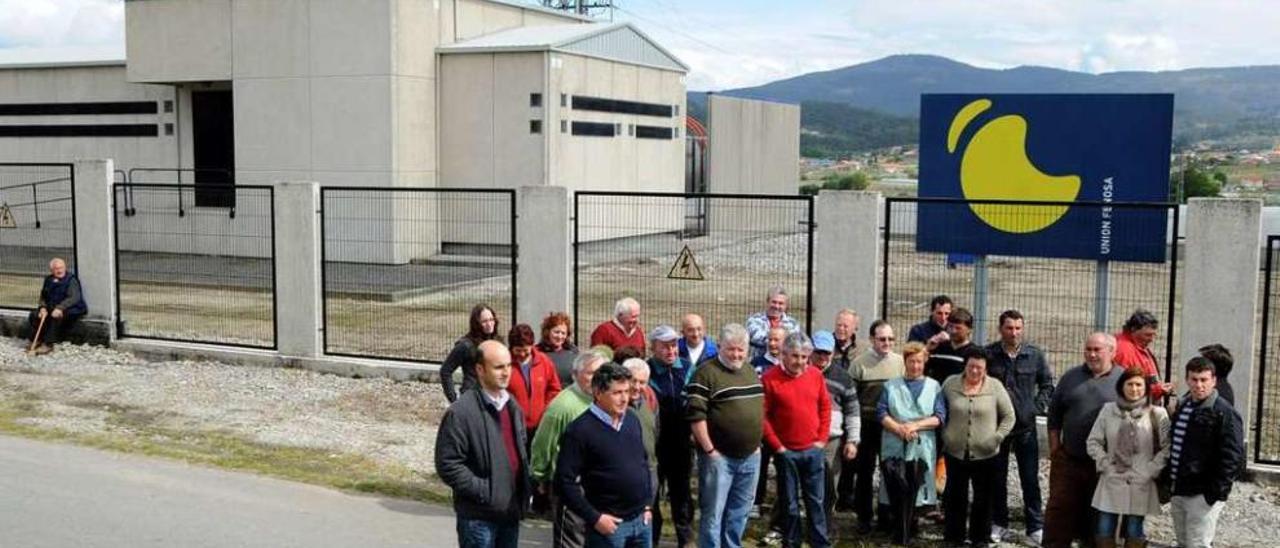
(614,42)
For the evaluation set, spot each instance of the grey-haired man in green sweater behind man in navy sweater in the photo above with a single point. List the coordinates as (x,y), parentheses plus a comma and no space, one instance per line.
(569,529)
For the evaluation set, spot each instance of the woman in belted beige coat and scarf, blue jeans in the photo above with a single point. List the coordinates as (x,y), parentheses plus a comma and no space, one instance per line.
(1130,442)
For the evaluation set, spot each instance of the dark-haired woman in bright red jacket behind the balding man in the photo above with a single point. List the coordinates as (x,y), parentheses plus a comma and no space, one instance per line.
(534,382)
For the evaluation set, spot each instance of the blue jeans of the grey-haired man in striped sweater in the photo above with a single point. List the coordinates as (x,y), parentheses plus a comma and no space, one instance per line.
(726,490)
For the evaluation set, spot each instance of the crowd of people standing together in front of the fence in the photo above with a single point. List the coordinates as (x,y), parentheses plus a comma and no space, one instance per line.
(597,437)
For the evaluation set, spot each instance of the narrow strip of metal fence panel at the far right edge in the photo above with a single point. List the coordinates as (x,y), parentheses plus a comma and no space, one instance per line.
(1267,421)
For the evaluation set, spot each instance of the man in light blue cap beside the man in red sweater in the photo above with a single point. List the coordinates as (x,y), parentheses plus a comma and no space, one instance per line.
(845,421)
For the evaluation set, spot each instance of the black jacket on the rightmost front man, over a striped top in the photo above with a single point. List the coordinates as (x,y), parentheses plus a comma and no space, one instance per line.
(1213,451)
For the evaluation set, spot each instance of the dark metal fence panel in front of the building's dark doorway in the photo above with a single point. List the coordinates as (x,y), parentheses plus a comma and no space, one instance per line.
(196,275)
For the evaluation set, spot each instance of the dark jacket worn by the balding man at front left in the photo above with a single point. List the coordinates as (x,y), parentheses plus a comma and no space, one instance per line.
(470,459)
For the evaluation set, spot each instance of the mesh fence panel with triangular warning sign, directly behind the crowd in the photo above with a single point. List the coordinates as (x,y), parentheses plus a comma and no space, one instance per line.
(716,255)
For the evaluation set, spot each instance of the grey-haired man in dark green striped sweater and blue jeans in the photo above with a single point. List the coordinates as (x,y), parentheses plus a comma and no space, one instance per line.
(726,409)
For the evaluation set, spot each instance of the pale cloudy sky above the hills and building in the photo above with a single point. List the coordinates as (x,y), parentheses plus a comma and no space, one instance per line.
(744,43)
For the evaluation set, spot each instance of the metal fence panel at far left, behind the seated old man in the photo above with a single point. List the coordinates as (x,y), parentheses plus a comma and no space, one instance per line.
(38,223)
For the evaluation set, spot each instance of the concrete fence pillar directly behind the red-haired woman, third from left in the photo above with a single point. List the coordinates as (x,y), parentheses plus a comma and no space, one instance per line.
(545,281)
